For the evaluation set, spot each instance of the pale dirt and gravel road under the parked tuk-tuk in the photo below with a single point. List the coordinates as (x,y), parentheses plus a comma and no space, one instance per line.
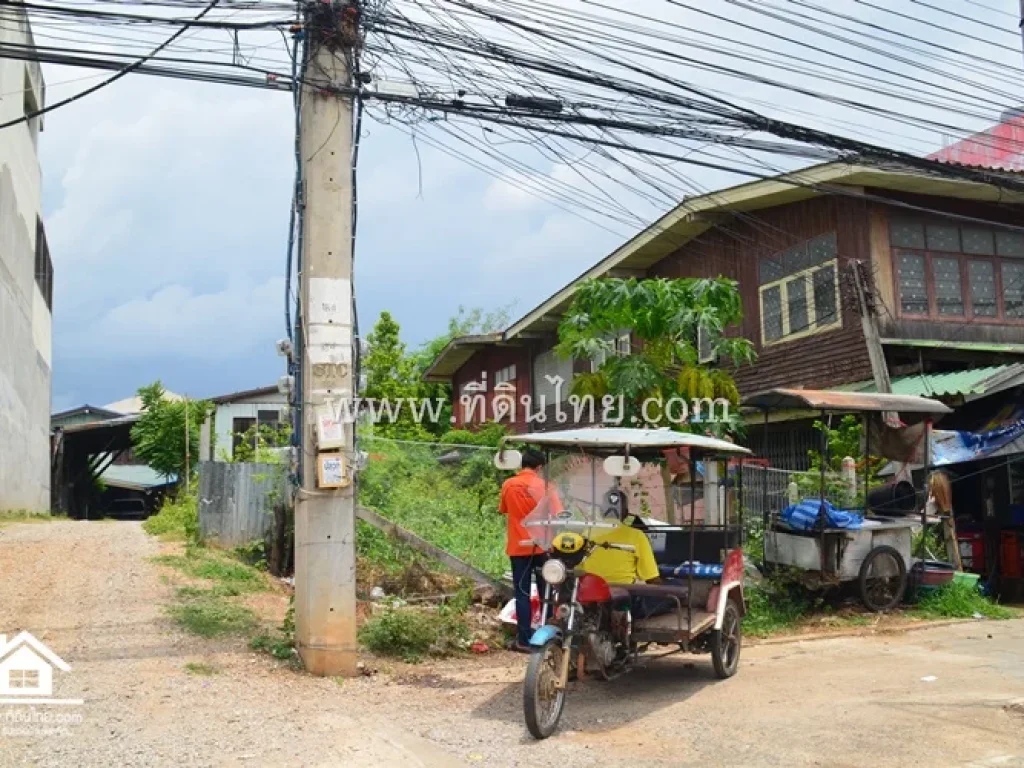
(90,591)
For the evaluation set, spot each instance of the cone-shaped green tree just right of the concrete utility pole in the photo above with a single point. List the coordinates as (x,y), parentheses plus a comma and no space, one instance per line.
(392,375)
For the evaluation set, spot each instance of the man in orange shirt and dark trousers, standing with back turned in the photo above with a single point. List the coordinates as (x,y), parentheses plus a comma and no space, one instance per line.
(521,495)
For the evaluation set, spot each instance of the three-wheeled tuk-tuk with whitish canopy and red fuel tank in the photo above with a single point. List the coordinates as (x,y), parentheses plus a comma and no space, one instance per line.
(598,481)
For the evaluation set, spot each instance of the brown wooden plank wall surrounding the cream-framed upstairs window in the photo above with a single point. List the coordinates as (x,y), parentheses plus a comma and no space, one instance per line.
(734,248)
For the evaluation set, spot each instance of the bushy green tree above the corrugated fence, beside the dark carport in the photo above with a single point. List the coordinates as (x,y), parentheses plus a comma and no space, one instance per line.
(159,436)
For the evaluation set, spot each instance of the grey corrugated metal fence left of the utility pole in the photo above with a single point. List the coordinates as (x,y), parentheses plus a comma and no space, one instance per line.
(236,501)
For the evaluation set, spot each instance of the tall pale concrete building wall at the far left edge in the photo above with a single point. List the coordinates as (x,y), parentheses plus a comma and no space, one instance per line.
(25,320)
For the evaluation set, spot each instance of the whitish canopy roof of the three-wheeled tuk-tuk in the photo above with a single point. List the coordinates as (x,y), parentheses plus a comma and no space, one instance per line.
(617,439)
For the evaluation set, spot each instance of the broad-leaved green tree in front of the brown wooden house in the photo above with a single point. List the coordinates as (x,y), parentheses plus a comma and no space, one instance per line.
(664,317)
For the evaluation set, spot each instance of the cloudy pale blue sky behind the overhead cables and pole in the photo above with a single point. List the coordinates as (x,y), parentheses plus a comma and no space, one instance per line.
(166,205)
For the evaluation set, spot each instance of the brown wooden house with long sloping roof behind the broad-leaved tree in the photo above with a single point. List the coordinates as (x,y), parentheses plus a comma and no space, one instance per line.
(944,286)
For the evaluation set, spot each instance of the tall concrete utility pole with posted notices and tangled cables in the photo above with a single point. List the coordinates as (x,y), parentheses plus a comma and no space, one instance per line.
(325,510)
